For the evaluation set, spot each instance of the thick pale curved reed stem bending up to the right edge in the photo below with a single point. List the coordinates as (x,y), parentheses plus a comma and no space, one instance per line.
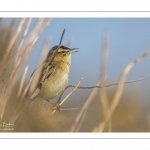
(120,86)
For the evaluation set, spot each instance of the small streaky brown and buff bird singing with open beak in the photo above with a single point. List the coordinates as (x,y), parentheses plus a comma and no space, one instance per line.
(51,77)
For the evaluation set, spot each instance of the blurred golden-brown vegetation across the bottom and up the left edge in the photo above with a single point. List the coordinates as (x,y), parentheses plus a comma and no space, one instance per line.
(131,115)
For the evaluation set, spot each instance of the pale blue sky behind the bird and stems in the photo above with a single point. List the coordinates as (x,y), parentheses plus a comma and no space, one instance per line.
(128,39)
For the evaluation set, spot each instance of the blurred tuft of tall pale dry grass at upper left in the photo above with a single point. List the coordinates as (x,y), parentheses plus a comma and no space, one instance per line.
(13,56)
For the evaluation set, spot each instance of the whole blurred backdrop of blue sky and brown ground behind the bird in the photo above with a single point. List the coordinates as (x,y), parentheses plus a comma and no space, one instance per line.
(128,39)
